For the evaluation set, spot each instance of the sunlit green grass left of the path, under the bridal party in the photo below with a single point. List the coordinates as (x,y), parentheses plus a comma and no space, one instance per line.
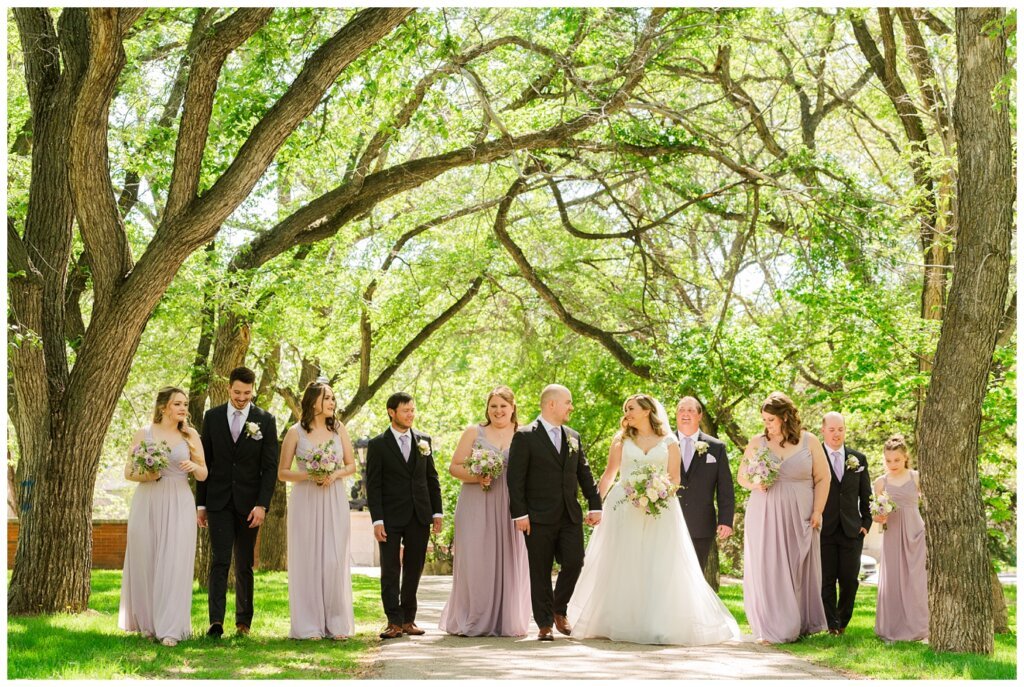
(92,647)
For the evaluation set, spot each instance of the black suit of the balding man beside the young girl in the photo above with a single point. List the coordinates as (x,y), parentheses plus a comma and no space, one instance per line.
(846,512)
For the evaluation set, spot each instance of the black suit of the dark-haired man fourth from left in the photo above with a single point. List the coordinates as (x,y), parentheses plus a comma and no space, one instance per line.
(406,496)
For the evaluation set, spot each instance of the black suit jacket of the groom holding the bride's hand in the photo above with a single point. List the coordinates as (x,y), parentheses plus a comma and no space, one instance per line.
(543,483)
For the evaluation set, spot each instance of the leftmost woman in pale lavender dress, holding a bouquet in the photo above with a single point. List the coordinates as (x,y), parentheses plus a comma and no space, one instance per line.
(156,587)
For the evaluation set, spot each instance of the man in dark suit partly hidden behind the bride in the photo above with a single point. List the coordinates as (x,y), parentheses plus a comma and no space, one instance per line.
(705,477)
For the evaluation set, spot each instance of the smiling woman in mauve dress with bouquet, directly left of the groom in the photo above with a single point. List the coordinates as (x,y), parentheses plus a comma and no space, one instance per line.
(491,581)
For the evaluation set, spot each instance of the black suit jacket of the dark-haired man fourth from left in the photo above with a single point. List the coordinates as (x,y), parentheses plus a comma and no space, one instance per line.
(397,491)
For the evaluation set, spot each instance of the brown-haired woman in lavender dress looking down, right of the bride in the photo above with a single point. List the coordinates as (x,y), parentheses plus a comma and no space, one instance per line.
(782,543)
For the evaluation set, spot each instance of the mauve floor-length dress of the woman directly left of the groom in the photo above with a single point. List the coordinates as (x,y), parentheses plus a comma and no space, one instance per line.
(491,581)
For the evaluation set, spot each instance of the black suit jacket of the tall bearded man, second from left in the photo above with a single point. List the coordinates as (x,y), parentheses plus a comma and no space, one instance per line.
(244,473)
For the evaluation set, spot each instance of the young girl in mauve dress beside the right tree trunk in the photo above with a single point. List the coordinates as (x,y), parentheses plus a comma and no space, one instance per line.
(903,612)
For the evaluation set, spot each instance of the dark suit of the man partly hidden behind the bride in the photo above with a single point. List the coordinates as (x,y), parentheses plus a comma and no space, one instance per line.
(708,478)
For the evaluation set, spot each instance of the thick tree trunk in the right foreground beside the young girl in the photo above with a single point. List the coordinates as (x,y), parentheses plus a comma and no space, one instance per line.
(959,571)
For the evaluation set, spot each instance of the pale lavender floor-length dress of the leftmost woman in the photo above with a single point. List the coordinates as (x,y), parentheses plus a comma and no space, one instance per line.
(156,587)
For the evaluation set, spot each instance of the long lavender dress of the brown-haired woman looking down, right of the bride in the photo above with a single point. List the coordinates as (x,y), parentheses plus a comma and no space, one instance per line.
(783,556)
